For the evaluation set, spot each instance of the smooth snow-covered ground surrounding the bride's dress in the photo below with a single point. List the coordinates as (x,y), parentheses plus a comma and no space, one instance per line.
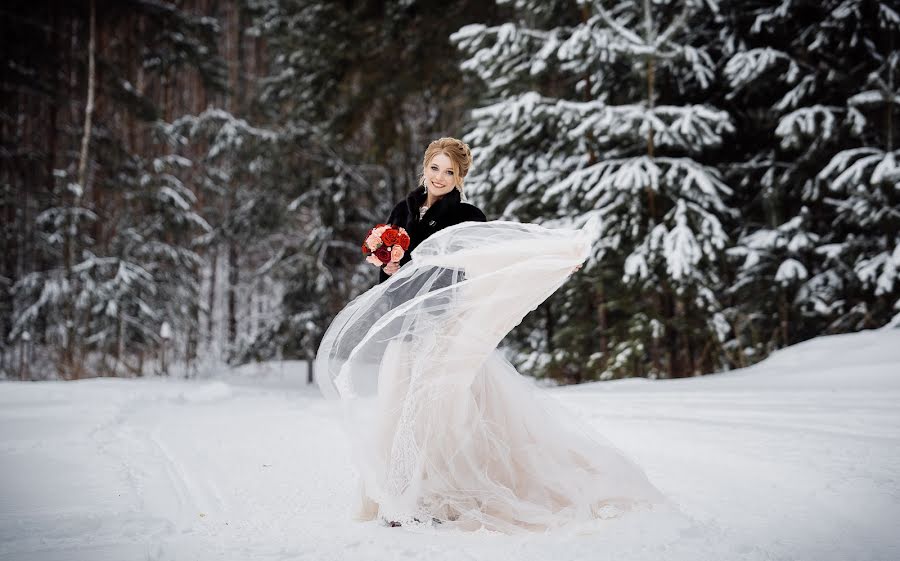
(797,458)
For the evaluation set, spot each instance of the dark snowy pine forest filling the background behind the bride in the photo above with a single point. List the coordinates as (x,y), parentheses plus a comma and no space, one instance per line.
(185,185)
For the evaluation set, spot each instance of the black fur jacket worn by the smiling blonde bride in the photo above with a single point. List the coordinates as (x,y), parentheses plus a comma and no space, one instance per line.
(449,210)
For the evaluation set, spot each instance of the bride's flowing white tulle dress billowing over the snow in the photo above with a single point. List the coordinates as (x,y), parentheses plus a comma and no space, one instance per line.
(443,428)
